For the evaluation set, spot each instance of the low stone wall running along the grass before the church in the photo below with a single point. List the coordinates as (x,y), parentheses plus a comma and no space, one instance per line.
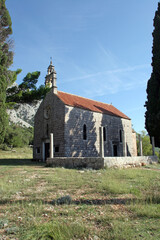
(98,163)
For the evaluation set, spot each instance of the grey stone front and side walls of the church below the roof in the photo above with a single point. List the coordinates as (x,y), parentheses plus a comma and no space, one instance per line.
(66,123)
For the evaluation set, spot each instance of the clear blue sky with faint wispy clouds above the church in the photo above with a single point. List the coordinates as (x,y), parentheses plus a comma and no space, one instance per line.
(101,49)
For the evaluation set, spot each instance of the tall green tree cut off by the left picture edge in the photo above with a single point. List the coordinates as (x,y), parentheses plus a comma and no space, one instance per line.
(6,58)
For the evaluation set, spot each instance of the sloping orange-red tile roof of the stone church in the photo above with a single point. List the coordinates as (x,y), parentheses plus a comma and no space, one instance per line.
(91,105)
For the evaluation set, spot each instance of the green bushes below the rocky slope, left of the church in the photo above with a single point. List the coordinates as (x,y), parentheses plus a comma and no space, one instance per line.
(17,136)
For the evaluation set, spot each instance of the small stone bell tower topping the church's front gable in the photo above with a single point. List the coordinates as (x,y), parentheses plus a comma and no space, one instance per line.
(51,77)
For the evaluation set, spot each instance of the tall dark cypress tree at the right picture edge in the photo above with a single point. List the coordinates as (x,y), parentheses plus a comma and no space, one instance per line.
(152,115)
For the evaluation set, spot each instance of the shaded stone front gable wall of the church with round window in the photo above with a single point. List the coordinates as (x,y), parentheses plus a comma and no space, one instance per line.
(49,119)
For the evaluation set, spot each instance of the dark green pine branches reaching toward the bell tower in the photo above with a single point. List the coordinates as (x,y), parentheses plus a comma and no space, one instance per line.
(27,91)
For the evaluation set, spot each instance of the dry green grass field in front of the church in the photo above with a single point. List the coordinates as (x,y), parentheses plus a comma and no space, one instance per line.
(106,204)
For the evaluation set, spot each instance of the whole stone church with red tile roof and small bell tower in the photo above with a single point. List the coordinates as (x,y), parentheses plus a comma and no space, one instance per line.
(78,124)
